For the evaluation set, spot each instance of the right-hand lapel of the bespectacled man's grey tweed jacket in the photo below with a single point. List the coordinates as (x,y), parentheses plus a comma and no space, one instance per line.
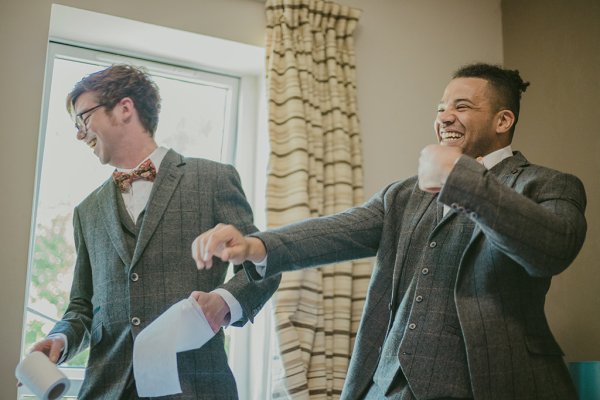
(167,180)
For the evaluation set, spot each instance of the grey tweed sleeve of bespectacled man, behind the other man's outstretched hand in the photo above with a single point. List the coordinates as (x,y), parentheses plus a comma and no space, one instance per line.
(231,207)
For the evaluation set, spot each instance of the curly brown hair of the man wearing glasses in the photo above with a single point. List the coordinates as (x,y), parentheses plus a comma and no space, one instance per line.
(116,82)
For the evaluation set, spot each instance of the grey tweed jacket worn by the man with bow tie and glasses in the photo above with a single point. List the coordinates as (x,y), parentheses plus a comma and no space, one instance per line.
(189,196)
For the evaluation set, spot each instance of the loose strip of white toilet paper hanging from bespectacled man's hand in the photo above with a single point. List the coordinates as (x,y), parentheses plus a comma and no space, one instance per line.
(182,327)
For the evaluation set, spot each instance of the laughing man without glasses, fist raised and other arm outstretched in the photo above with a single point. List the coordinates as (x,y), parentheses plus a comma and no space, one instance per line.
(465,253)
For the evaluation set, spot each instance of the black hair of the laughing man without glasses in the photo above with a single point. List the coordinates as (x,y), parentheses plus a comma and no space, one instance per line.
(507,83)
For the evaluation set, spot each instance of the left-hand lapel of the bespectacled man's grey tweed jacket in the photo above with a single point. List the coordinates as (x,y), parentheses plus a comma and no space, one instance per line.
(107,200)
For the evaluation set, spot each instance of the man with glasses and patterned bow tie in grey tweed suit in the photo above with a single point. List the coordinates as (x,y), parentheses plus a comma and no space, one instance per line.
(133,236)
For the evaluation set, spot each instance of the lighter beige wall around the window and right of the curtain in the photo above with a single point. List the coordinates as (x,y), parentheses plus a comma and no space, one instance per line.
(406,50)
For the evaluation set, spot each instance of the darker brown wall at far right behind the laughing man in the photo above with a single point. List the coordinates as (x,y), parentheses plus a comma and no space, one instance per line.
(555,45)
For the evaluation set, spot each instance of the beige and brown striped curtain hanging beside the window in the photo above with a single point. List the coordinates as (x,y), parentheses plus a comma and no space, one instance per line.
(315,168)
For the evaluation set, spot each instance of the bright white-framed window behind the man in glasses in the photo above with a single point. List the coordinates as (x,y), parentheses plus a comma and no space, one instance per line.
(204,114)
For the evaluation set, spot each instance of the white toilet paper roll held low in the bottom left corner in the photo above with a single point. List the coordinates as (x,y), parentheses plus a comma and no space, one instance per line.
(42,376)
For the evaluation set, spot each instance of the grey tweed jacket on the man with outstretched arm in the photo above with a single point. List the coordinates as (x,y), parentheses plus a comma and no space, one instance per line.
(529,226)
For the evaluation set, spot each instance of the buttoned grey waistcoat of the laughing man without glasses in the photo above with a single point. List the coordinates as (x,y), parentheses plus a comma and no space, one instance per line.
(425,323)
